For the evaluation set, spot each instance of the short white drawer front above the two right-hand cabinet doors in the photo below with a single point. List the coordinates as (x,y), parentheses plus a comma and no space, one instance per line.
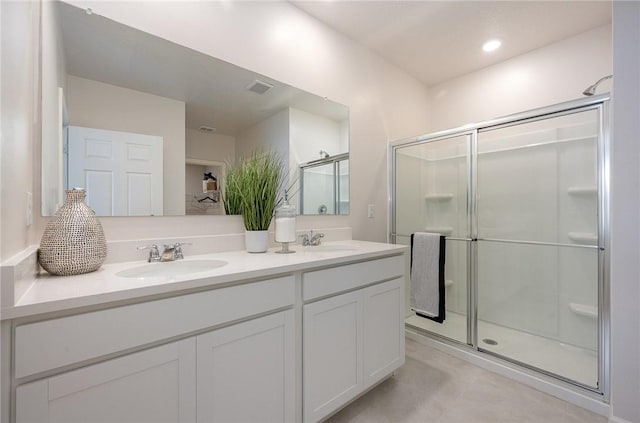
(321,283)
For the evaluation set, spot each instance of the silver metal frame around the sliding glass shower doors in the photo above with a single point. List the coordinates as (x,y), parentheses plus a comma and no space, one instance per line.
(599,103)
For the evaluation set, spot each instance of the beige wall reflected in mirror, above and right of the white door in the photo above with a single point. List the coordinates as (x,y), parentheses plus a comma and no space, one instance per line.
(93,104)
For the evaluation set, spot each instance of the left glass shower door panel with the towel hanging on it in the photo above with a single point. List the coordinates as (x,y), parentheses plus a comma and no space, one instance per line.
(431,184)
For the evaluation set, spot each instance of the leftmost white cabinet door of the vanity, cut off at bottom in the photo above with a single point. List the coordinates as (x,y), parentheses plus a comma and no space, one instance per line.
(155,385)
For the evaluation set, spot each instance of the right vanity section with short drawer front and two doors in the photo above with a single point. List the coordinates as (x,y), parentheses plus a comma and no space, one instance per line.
(351,340)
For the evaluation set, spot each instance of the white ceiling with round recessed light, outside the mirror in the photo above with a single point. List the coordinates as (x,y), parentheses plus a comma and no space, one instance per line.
(437,40)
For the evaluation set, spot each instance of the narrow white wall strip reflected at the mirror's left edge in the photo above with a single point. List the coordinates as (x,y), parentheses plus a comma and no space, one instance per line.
(54,76)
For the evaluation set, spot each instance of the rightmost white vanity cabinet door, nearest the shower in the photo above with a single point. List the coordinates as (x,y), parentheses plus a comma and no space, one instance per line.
(383,330)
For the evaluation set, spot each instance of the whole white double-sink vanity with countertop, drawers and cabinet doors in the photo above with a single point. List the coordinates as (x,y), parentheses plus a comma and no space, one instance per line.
(221,337)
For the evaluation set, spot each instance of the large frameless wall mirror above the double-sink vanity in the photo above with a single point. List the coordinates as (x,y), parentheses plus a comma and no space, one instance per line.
(146,126)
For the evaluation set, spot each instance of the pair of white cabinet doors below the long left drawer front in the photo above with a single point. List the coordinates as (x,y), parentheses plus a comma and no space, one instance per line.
(240,373)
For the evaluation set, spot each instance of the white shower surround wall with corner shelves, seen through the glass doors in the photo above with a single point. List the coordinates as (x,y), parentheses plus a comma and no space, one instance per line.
(531,187)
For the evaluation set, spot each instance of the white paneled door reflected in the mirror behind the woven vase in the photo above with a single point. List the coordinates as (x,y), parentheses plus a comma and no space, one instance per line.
(121,171)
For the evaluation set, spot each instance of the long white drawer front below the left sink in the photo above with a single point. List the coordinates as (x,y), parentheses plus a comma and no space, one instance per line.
(60,342)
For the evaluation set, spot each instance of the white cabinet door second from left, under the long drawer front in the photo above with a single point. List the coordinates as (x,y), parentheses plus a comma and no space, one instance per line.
(246,371)
